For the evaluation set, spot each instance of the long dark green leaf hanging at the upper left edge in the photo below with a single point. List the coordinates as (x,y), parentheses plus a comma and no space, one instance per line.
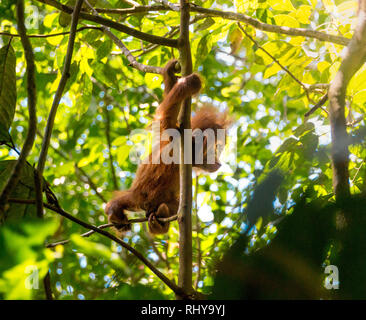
(8,92)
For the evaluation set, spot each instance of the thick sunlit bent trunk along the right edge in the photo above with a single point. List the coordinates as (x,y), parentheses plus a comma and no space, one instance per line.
(354,58)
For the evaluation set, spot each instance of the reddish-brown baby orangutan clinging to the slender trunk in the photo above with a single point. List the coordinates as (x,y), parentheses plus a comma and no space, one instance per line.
(156,186)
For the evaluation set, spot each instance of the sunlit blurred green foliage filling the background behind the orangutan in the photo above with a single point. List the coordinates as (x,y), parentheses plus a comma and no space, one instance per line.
(273,247)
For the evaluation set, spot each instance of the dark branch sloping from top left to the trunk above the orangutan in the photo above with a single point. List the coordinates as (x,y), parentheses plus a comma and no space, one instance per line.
(114,25)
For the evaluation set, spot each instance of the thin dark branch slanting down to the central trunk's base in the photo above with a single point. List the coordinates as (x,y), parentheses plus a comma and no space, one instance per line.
(177,290)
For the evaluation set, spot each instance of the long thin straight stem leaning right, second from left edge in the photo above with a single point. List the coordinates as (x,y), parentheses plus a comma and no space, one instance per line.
(51,117)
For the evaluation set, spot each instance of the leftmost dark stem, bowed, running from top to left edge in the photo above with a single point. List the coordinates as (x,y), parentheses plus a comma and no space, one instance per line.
(32,102)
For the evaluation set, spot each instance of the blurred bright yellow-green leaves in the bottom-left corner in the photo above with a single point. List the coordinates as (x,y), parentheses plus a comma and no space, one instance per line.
(22,253)
